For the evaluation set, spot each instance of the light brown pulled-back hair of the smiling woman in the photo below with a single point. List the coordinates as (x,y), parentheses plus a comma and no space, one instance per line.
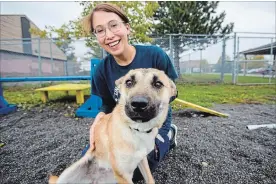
(87,21)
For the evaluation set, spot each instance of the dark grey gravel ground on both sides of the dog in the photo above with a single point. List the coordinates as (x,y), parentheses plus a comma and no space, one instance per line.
(210,149)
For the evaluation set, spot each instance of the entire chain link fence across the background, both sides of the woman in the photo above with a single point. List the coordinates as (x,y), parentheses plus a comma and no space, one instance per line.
(196,58)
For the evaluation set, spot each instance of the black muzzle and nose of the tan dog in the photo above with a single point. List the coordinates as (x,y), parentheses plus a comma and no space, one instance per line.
(140,108)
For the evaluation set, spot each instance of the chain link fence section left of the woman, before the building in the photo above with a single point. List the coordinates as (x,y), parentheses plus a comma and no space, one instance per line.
(44,57)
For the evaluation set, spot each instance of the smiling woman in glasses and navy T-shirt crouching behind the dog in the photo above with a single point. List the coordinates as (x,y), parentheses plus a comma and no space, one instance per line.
(111,27)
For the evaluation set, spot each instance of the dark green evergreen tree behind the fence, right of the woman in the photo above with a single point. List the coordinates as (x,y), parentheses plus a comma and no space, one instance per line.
(189,17)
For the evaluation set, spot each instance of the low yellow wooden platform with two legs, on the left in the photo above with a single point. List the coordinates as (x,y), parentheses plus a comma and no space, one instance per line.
(65,87)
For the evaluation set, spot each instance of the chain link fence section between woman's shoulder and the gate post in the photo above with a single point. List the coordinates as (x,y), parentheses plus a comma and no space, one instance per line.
(196,58)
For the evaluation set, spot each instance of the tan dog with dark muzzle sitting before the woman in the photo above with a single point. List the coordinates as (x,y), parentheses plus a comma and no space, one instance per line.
(125,137)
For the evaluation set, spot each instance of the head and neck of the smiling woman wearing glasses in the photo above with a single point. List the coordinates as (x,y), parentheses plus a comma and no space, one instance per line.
(111,28)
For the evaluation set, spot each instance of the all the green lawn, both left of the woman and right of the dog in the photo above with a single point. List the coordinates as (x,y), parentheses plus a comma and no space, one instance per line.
(205,95)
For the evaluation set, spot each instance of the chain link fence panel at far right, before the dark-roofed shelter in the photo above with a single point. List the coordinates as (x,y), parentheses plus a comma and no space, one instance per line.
(254,58)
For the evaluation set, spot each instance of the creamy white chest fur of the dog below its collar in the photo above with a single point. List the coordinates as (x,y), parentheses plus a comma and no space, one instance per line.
(129,146)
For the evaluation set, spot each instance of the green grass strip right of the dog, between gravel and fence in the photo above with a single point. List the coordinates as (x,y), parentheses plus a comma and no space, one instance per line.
(207,95)
